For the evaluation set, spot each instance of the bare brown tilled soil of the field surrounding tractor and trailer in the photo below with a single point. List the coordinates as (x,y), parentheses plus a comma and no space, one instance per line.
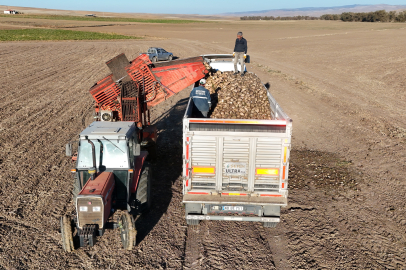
(344,87)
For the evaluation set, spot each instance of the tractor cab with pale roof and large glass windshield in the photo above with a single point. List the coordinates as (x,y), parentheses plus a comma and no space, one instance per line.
(115,146)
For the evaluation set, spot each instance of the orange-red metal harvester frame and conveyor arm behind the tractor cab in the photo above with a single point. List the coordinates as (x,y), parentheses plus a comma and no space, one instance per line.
(154,86)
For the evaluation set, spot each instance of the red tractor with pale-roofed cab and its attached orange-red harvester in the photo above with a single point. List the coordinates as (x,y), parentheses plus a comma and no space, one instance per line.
(111,173)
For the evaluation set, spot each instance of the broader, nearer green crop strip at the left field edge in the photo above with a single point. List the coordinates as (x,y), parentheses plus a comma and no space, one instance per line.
(55,34)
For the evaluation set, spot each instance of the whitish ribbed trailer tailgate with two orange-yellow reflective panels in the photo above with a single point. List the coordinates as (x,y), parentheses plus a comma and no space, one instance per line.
(225,159)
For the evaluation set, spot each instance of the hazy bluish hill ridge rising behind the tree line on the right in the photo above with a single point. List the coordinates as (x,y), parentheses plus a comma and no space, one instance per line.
(317,11)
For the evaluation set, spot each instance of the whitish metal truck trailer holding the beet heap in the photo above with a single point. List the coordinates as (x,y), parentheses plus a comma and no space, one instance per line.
(235,169)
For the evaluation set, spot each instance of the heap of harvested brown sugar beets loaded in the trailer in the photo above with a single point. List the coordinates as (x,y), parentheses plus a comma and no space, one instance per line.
(237,97)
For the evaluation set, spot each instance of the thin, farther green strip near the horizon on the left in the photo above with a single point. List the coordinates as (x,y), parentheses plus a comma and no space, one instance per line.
(103,19)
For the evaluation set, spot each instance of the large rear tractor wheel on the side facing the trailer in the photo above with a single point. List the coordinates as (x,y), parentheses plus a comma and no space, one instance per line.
(143,195)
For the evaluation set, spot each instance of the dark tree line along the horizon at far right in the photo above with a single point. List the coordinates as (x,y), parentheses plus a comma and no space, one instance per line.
(376,16)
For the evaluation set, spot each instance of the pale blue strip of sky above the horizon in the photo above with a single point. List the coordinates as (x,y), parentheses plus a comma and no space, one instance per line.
(187,6)
